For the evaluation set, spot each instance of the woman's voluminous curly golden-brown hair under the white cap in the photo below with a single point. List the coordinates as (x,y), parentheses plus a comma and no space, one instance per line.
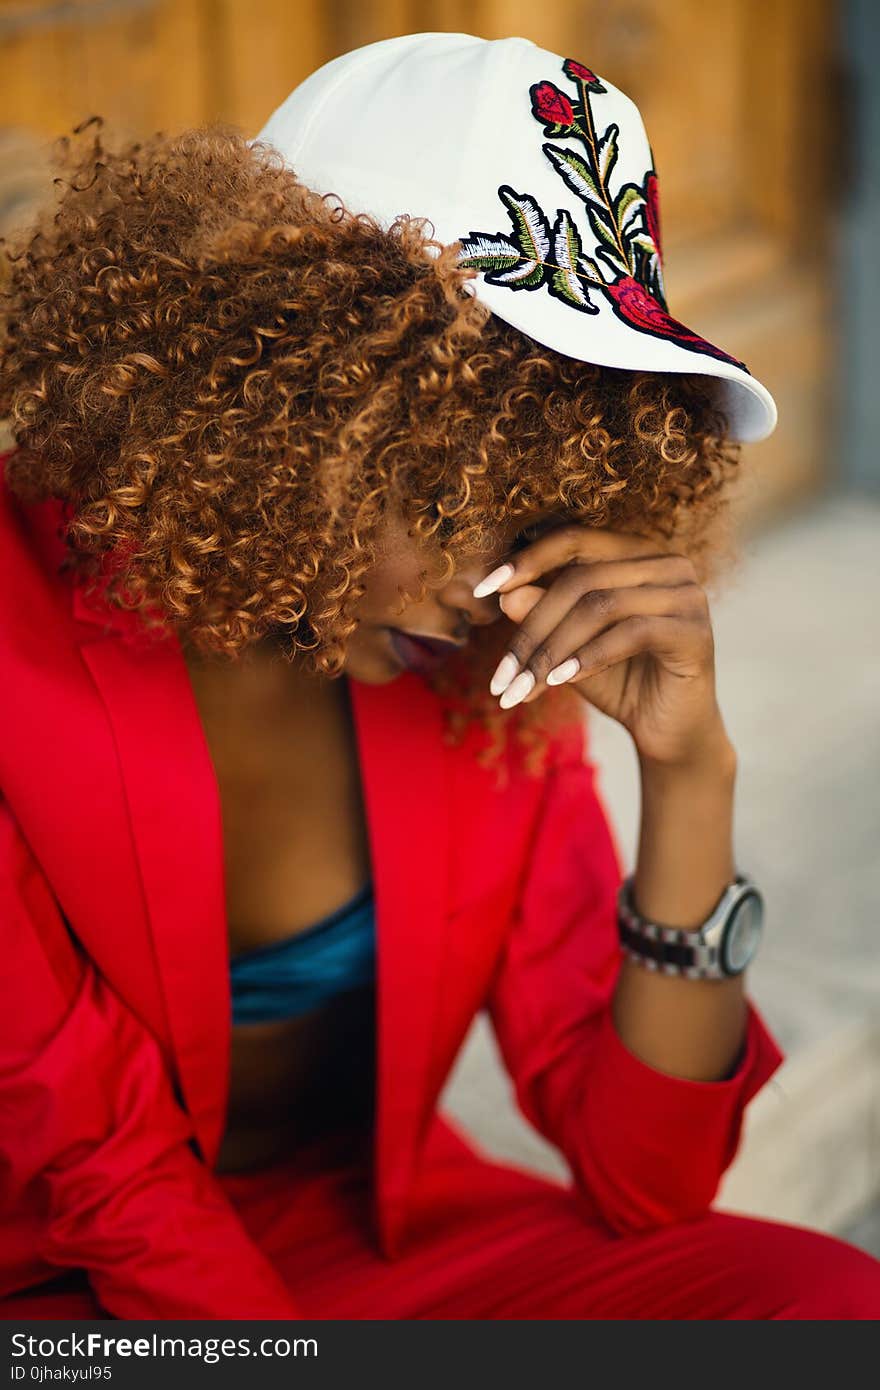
(229,380)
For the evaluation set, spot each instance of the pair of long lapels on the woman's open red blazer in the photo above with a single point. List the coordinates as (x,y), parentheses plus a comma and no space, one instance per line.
(176,821)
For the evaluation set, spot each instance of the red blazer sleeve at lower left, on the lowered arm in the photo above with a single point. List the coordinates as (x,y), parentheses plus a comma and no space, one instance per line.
(91,1121)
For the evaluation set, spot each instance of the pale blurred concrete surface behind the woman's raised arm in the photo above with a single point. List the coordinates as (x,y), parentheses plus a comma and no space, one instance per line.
(799,668)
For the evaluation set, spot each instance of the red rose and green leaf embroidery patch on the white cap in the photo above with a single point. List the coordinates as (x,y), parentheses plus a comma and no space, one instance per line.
(626,263)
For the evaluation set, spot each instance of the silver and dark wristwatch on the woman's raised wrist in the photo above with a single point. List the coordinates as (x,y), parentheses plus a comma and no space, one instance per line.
(724,946)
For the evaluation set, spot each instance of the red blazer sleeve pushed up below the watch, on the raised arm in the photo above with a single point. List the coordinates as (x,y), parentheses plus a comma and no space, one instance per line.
(646,1147)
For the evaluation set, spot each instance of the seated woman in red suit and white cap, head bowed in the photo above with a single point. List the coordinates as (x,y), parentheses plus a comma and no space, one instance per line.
(319,539)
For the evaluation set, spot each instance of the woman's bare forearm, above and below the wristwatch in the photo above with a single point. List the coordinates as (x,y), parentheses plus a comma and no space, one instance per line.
(686,1028)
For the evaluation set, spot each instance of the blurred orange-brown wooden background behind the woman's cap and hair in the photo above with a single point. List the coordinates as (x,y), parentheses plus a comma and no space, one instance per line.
(742,99)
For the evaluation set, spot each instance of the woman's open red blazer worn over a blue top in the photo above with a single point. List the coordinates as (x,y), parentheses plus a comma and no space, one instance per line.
(115,990)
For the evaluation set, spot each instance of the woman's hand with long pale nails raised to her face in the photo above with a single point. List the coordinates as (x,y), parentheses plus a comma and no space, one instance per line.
(626,623)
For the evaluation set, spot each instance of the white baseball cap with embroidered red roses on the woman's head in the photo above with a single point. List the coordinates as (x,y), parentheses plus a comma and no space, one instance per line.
(539,167)
